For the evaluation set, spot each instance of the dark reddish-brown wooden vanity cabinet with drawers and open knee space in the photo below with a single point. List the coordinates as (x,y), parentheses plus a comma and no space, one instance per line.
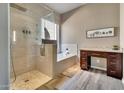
(114,61)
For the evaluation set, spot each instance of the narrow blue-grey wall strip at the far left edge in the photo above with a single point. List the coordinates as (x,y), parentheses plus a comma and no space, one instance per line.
(4,47)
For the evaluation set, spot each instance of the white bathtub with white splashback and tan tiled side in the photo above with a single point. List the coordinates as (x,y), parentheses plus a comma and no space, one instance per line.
(64,60)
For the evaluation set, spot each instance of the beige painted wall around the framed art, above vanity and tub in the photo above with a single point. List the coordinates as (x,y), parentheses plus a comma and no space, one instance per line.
(91,16)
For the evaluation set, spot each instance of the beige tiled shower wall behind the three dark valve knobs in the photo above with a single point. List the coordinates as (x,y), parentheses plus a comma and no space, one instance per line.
(23,51)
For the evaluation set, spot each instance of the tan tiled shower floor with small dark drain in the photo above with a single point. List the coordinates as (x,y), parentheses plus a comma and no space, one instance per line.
(30,80)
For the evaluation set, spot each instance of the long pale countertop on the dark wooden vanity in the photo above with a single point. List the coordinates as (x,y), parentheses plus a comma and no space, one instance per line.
(103,49)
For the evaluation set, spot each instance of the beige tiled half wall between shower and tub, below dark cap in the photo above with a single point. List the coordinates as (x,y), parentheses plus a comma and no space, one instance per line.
(46,63)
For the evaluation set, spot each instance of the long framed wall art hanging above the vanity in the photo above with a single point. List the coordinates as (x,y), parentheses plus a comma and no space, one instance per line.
(99,33)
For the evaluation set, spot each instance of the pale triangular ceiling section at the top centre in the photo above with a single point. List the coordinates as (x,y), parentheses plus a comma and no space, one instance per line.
(63,7)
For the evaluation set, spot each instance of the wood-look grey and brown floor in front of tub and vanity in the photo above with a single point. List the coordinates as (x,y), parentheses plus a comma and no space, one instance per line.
(83,80)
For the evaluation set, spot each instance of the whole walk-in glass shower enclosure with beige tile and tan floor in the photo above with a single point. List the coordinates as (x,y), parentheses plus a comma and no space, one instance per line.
(30,23)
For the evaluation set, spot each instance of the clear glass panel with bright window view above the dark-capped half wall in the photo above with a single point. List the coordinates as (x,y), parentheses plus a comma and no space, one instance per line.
(49,27)
